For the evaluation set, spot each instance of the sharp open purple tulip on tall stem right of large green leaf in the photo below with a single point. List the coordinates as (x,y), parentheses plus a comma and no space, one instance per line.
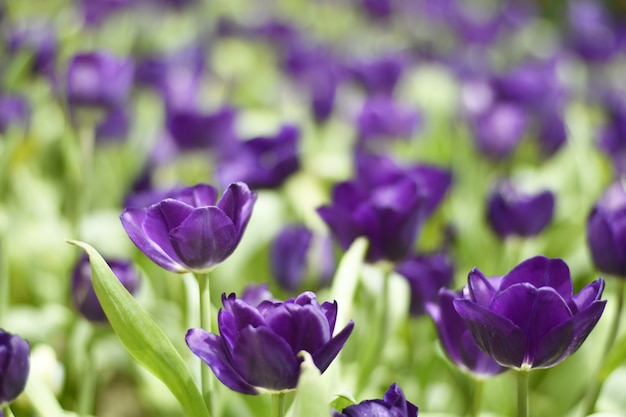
(191,231)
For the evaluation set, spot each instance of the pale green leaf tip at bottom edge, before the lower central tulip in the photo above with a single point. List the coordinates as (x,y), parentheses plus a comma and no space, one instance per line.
(311,393)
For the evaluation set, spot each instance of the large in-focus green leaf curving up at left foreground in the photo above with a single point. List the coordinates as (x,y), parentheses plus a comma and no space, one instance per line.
(141,336)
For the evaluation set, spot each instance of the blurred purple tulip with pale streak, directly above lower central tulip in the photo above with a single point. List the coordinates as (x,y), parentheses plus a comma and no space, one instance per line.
(297,254)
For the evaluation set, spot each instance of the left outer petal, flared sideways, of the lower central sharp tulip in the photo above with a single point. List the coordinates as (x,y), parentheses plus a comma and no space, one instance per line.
(209,348)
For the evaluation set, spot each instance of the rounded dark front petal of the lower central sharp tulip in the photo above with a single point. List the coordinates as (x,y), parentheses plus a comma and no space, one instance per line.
(265,360)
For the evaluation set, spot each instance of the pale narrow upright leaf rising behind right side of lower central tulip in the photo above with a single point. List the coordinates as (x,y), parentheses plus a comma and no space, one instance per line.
(346,278)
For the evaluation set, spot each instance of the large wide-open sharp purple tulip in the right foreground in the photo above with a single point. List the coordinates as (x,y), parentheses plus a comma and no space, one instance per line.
(530,318)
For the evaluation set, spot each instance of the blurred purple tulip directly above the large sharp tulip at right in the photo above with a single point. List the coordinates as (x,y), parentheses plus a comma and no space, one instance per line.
(511,212)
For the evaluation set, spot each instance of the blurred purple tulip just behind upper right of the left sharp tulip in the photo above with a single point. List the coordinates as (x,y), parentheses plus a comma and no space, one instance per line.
(262,162)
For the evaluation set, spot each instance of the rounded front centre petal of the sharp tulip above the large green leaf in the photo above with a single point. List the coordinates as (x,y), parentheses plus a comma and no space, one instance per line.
(205,238)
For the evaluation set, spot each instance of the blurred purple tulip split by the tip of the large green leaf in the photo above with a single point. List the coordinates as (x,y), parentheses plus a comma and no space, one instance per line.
(83,293)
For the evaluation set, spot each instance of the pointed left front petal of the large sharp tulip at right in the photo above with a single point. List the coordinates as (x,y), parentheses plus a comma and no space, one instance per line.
(497,336)
